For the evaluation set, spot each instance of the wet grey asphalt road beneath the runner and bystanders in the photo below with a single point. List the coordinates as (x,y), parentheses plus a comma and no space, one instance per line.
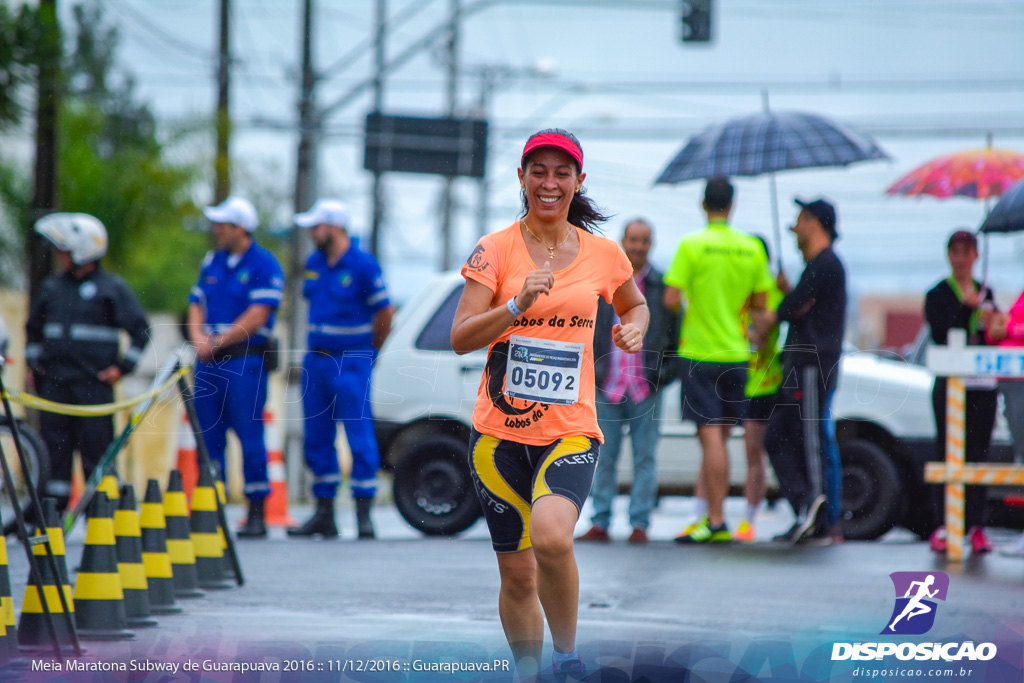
(312,596)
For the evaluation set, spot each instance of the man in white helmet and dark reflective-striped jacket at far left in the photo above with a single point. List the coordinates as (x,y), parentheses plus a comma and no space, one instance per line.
(73,350)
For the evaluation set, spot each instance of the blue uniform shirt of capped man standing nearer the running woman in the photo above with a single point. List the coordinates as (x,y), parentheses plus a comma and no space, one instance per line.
(344,301)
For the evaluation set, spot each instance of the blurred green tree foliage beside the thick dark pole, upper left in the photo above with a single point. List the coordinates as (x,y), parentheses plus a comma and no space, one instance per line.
(112,164)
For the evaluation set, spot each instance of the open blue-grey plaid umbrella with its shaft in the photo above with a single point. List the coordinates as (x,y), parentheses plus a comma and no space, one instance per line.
(766,143)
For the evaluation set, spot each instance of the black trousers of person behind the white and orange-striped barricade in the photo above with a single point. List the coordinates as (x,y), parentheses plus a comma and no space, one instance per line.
(980,418)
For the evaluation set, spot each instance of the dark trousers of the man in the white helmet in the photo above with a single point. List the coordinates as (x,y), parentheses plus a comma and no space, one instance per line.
(65,435)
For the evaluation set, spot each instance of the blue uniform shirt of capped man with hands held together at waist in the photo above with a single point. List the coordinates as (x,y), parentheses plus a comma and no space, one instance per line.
(227,288)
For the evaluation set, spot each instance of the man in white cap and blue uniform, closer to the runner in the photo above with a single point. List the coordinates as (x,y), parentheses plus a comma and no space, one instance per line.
(350,318)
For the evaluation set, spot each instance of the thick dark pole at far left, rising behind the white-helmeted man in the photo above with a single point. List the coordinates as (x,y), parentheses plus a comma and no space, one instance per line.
(45,199)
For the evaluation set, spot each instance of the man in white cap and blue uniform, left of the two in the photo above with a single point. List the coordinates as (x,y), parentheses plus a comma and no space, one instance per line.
(231,314)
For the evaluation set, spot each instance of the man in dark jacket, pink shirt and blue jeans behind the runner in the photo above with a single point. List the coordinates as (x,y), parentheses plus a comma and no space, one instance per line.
(629,393)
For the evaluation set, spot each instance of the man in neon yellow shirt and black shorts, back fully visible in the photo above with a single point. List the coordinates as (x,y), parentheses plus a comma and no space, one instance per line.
(724,275)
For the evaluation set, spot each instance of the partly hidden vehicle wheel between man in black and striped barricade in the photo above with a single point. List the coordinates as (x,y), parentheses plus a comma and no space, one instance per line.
(872,490)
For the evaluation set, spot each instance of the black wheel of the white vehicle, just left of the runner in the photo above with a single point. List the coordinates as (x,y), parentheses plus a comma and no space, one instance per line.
(433,487)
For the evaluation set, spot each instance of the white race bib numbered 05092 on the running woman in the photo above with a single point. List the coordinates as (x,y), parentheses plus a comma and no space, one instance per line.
(542,370)
